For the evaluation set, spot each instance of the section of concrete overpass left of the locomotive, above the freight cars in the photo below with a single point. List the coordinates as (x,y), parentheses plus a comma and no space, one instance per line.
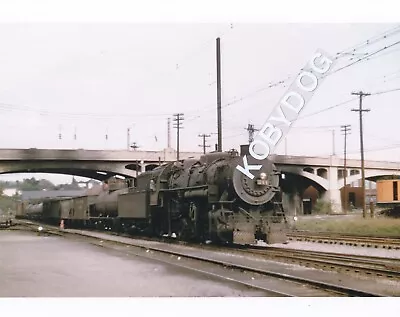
(96,164)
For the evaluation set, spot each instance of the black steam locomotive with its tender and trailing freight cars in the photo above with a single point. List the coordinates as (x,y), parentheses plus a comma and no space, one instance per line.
(194,199)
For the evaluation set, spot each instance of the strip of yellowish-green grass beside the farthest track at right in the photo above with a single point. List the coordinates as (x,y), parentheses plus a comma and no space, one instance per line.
(381,226)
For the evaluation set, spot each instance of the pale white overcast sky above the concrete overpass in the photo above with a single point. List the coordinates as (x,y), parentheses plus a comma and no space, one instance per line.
(94,80)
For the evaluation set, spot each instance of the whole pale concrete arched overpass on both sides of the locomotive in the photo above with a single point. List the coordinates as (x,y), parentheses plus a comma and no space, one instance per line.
(323,173)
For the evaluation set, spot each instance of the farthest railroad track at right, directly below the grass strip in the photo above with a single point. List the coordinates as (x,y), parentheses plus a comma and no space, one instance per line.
(346,239)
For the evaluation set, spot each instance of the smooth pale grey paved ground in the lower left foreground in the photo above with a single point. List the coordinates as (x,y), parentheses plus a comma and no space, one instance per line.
(49,266)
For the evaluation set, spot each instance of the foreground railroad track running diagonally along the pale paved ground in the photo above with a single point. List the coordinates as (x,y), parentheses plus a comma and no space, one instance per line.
(211,263)
